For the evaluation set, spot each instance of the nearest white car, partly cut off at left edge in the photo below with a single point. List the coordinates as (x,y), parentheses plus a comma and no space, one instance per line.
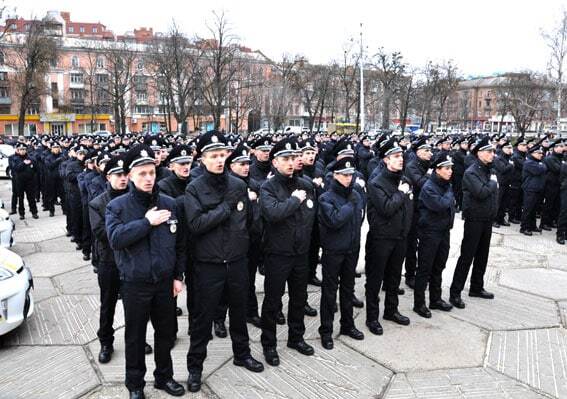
(16,284)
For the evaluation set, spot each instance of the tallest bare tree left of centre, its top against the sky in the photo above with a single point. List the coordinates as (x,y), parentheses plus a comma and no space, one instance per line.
(220,52)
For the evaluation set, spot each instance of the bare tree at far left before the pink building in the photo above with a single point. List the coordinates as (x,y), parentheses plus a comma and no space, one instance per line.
(31,58)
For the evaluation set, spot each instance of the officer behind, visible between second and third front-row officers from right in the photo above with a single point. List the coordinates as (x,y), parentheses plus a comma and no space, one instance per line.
(416,173)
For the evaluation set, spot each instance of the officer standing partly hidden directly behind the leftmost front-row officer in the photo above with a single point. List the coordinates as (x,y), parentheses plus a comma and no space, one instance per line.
(103,256)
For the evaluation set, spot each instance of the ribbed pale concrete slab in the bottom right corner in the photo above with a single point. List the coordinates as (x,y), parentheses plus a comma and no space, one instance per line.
(535,357)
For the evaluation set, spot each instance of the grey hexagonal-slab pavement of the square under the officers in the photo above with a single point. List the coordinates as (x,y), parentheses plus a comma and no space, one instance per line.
(512,347)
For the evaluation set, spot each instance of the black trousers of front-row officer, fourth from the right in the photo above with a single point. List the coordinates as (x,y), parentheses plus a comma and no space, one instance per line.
(338,273)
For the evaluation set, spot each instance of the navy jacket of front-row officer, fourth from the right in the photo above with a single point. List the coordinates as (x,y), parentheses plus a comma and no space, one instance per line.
(340,213)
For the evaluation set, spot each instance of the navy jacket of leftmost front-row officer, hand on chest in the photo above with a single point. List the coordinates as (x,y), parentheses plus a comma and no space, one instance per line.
(144,253)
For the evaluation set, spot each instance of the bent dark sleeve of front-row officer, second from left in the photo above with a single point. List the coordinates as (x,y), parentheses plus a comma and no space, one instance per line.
(199,220)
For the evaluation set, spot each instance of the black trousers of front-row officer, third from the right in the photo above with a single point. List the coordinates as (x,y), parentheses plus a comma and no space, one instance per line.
(385,267)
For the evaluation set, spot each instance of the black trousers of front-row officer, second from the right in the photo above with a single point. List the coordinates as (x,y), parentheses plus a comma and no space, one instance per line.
(433,254)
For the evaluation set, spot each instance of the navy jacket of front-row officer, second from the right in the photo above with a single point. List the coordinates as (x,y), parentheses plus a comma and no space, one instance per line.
(436,206)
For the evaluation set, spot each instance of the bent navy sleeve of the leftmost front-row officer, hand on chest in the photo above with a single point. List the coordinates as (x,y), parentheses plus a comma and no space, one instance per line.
(121,235)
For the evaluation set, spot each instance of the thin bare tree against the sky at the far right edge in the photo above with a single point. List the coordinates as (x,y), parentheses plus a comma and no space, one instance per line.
(556,41)
